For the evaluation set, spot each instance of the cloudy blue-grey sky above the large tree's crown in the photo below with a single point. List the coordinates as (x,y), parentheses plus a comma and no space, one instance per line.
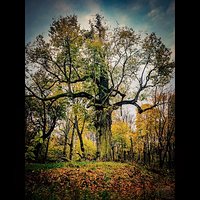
(143,15)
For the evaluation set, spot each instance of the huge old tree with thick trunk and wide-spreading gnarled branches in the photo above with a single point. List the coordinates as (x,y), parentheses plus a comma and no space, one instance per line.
(107,68)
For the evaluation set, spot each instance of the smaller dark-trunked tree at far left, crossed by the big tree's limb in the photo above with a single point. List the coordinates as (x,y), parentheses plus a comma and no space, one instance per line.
(43,115)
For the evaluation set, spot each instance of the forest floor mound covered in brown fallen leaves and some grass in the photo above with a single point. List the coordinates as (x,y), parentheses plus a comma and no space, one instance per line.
(97,181)
